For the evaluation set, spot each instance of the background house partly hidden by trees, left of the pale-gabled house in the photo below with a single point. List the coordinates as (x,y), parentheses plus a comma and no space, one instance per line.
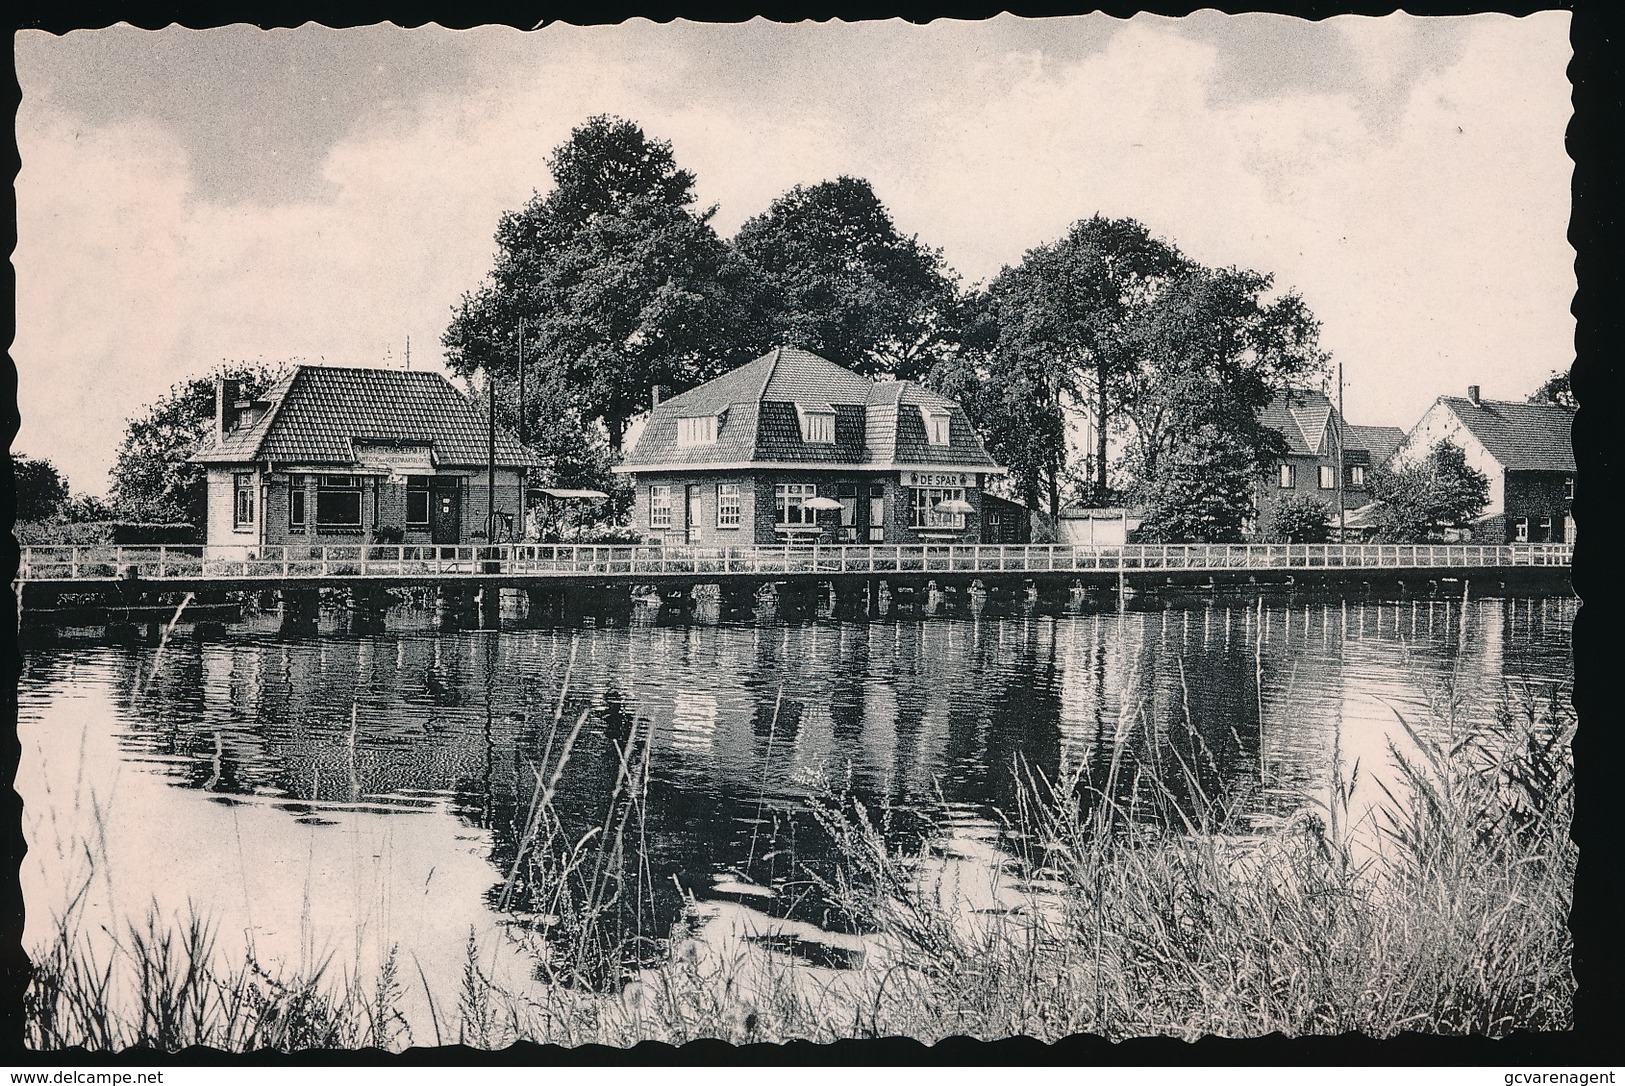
(1311,425)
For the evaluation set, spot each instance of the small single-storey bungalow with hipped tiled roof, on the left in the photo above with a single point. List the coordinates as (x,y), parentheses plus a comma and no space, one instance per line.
(340,456)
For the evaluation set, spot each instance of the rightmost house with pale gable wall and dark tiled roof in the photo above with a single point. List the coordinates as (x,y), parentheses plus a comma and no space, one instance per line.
(1523,448)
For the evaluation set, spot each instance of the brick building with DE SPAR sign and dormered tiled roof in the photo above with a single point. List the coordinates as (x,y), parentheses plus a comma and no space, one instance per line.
(747,458)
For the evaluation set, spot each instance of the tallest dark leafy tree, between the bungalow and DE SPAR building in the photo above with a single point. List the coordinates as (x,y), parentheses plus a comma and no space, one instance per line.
(620,282)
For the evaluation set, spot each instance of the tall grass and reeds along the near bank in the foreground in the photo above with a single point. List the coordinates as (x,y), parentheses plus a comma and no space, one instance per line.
(1127,906)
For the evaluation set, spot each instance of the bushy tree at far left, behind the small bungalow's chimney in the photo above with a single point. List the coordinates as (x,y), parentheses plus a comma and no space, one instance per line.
(152,479)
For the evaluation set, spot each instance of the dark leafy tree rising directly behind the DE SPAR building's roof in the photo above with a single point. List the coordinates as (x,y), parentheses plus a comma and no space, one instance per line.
(833,274)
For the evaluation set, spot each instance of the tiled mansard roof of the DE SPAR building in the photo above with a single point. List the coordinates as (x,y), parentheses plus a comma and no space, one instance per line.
(875,422)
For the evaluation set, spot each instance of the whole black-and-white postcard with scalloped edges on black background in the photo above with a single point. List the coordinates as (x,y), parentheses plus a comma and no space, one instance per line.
(795,531)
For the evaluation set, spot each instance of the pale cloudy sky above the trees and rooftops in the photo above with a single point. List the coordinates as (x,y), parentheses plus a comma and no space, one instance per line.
(310,194)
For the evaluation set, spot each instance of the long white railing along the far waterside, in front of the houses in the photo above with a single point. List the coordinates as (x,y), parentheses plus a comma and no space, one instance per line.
(427,562)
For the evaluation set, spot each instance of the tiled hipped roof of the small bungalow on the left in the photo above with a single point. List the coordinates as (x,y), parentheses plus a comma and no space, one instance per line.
(319,411)
